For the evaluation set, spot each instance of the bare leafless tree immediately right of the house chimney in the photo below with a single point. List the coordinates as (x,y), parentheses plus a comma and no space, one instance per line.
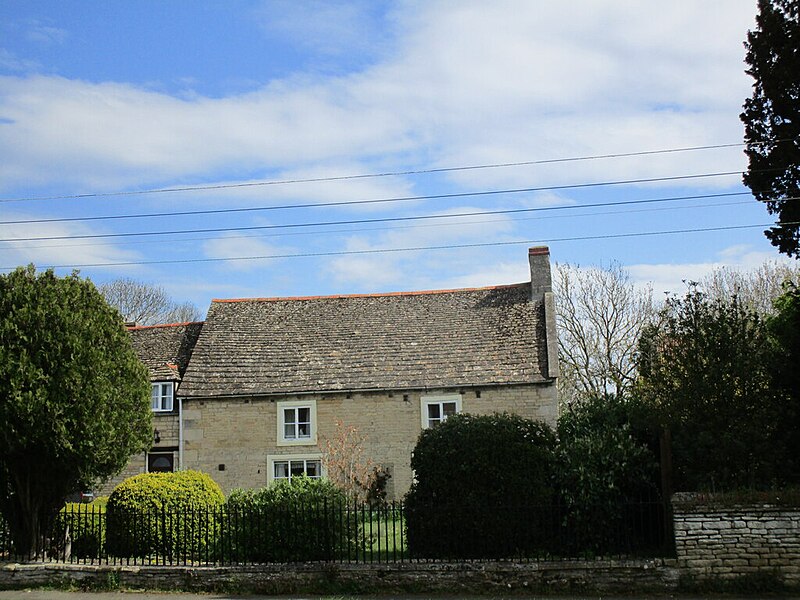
(600,316)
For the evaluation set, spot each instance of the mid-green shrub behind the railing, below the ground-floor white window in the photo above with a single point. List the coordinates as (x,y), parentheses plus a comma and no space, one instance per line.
(299,520)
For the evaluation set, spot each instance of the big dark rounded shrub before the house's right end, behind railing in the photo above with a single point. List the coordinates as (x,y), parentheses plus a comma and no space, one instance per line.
(483,487)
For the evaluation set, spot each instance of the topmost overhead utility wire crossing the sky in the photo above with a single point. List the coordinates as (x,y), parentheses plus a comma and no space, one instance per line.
(193,188)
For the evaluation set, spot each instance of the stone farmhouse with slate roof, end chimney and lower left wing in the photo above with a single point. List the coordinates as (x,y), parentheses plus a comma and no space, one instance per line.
(250,394)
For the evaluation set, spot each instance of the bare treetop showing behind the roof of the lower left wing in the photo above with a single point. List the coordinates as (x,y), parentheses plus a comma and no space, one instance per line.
(146,304)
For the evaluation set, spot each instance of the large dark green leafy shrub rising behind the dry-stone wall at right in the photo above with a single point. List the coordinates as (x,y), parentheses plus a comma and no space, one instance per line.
(707,370)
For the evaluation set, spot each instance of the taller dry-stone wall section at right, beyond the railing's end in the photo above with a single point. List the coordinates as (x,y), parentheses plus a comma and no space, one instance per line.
(715,542)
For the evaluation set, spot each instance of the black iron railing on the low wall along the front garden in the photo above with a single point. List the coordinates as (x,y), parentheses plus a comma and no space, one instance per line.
(352,534)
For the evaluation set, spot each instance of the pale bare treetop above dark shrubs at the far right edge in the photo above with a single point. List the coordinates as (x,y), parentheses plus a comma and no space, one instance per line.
(754,288)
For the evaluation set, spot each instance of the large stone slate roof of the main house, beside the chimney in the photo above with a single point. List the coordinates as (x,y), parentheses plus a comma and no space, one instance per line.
(397,341)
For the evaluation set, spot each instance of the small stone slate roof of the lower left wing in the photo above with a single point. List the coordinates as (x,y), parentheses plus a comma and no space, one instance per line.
(165,349)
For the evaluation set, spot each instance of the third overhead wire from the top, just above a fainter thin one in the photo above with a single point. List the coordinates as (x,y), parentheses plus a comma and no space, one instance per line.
(363,221)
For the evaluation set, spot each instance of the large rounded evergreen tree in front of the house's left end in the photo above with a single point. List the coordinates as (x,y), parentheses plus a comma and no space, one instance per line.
(74,397)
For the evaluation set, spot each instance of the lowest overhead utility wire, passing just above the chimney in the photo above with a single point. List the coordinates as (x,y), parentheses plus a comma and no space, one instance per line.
(410,249)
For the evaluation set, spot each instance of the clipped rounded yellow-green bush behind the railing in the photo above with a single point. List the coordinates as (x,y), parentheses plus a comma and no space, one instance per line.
(169,514)
